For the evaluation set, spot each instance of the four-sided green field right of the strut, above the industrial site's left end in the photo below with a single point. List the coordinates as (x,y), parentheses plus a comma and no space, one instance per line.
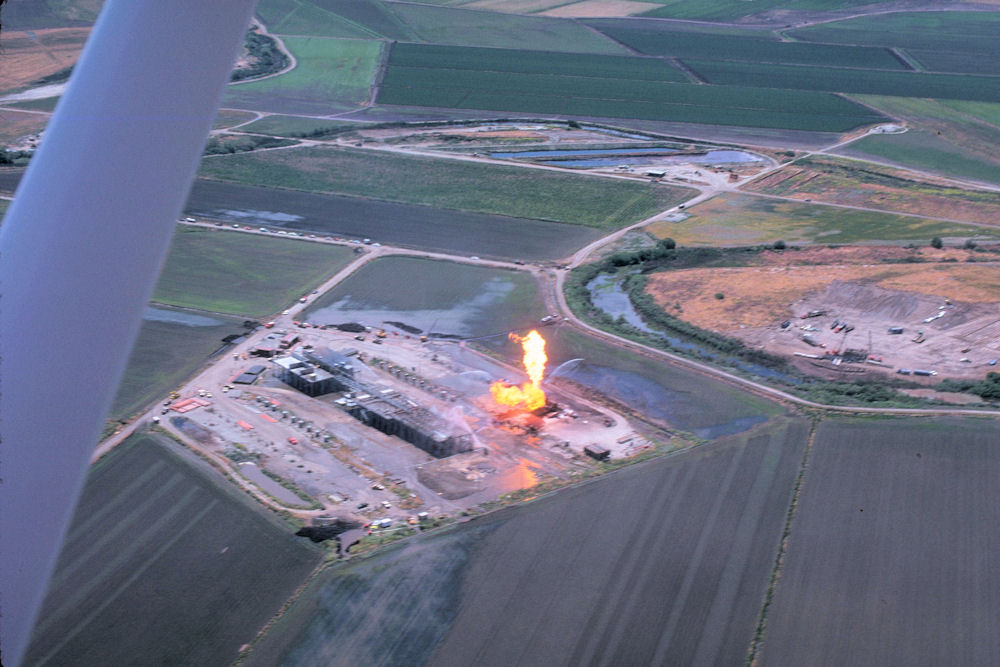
(243,274)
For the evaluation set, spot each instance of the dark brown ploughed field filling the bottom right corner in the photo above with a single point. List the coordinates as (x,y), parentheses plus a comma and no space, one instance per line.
(889,548)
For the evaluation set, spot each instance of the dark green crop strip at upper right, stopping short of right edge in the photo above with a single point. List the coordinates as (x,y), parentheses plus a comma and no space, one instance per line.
(758,48)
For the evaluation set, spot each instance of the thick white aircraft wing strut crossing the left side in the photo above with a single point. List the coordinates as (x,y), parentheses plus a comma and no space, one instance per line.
(80,250)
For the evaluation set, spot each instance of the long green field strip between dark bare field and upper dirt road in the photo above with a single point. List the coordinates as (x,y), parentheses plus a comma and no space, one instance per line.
(450,184)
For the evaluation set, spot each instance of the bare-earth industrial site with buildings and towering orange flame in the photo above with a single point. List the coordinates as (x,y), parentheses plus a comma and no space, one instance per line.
(379,426)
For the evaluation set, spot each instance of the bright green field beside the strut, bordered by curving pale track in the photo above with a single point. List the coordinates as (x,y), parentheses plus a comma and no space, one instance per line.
(331,75)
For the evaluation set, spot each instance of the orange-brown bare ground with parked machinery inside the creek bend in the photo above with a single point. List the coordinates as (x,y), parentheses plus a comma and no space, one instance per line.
(871,297)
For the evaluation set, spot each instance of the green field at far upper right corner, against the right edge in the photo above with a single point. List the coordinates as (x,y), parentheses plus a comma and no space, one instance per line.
(945,41)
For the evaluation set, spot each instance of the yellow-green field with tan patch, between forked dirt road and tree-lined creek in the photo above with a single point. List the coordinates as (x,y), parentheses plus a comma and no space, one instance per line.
(739,219)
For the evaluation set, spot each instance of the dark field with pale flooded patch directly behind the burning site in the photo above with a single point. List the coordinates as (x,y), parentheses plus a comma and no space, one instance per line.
(434,296)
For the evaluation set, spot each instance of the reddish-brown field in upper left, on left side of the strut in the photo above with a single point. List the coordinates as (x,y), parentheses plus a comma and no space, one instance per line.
(29,58)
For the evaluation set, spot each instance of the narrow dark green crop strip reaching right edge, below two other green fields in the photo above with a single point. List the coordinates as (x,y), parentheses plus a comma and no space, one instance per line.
(874,82)
